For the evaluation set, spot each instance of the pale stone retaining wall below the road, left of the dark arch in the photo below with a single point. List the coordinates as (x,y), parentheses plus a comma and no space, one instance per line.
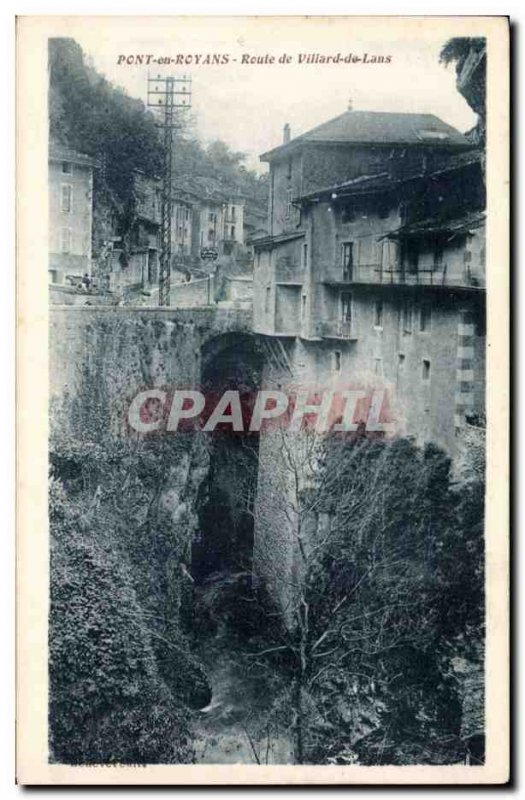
(138,348)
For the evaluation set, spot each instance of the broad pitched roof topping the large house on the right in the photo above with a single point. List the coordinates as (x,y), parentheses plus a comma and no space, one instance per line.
(377,127)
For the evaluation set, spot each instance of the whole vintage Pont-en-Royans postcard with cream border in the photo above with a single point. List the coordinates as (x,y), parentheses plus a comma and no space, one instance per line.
(263,322)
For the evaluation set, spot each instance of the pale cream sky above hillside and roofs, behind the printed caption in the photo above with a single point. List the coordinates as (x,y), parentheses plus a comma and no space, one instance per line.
(247,105)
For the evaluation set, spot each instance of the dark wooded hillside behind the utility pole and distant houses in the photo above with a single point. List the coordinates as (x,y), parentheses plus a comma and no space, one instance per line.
(92,116)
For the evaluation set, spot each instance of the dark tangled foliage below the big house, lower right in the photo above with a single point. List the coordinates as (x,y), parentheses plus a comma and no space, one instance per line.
(386,605)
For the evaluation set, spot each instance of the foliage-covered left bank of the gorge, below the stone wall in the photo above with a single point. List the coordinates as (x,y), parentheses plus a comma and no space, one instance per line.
(122,677)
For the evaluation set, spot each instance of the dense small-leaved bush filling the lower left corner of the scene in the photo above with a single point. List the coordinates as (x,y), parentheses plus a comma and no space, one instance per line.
(108,702)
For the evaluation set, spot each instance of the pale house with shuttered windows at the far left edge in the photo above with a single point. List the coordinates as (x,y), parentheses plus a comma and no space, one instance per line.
(70,180)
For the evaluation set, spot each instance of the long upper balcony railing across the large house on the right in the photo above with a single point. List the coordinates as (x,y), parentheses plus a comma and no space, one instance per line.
(398,275)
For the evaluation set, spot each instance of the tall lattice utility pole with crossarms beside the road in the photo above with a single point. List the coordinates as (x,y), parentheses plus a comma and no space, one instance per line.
(165,95)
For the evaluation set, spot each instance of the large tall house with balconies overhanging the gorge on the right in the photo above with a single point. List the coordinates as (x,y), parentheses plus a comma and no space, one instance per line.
(373,271)
